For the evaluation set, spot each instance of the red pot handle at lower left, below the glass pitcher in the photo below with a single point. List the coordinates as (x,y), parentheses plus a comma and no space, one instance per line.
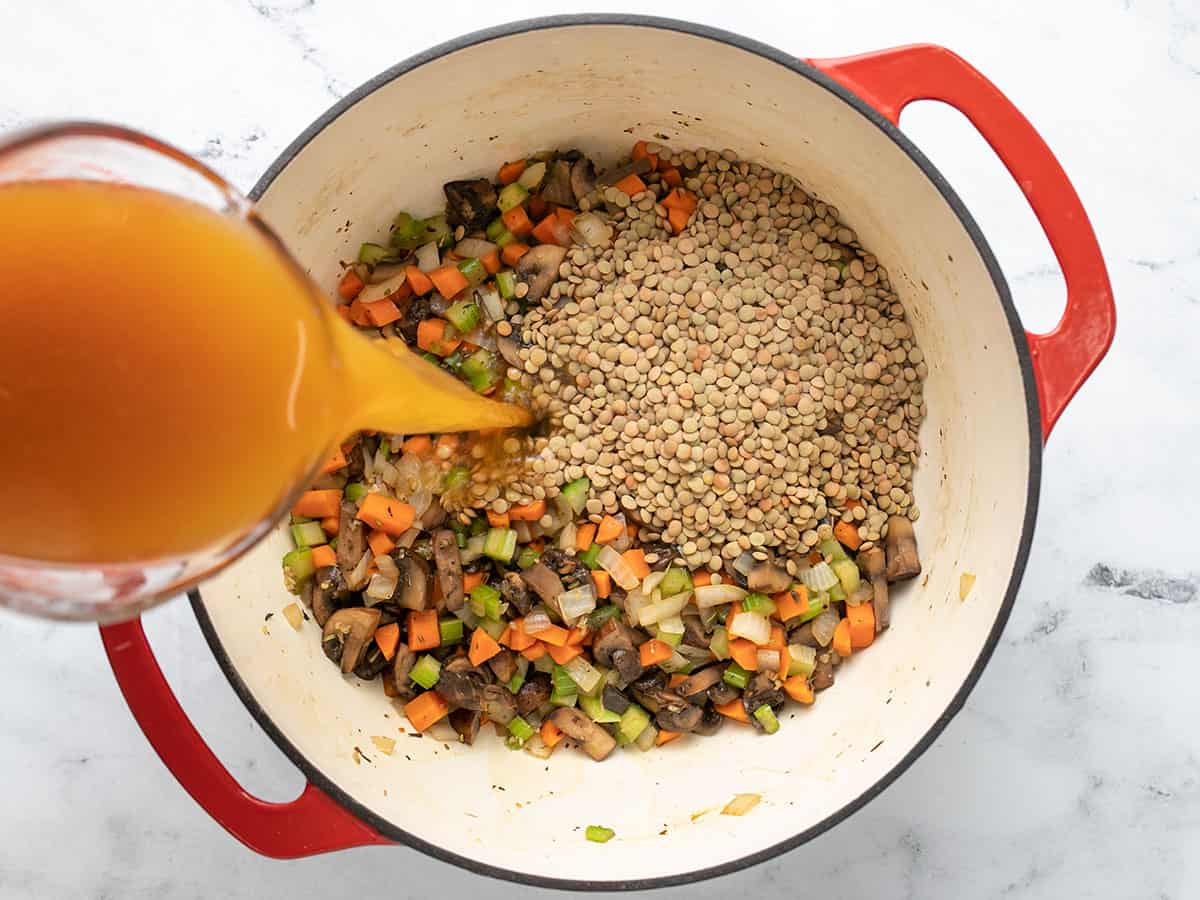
(311,824)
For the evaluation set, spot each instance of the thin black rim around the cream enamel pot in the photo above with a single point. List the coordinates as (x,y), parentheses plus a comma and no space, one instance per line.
(1035,434)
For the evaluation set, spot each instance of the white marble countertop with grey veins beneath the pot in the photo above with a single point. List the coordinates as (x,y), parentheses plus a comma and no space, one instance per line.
(1088,784)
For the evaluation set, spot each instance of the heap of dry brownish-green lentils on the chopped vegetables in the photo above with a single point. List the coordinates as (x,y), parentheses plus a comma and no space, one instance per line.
(730,388)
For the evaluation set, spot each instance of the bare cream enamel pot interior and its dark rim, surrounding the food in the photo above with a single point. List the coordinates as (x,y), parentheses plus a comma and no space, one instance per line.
(459,112)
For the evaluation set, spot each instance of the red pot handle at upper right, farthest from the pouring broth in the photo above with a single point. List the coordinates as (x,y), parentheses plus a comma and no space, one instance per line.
(890,81)
